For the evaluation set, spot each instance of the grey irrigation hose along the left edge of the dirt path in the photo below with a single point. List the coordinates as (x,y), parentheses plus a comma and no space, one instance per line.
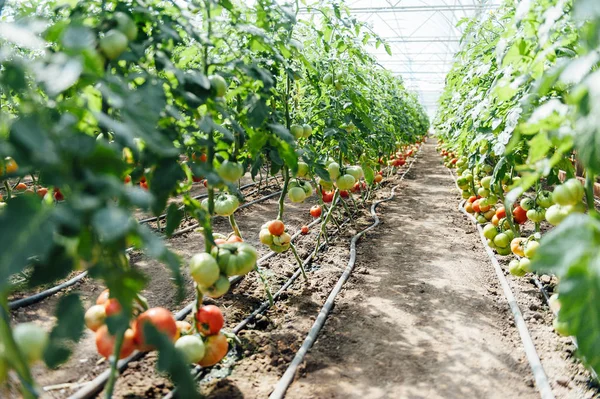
(287,378)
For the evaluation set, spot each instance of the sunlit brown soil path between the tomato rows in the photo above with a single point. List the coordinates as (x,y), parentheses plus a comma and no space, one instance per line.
(421,317)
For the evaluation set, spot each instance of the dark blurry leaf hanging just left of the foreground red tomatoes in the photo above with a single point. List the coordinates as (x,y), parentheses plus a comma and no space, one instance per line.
(67,330)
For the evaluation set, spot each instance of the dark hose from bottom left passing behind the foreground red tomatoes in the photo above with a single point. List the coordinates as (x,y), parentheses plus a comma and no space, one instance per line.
(95,386)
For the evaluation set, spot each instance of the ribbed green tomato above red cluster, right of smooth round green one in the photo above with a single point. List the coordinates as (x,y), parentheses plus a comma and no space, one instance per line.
(236,258)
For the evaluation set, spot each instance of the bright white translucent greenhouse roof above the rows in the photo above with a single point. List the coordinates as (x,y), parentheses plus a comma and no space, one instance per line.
(423,38)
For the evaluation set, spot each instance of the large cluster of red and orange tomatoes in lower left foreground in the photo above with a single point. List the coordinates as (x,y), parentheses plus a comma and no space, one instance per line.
(203,343)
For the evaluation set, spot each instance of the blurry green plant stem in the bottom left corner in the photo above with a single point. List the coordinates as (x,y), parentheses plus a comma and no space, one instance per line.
(13,354)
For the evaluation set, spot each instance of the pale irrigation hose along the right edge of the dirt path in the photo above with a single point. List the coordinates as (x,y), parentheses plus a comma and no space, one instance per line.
(539,374)
